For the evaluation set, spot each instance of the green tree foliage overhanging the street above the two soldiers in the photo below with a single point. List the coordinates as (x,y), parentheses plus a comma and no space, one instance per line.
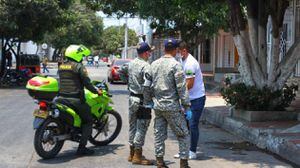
(193,18)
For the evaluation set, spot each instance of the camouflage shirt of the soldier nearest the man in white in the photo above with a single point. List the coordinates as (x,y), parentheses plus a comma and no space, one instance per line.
(168,85)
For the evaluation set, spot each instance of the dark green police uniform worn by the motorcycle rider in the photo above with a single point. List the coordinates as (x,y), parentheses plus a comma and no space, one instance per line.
(73,78)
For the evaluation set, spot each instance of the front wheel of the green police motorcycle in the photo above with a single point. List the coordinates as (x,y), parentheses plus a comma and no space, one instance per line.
(109,132)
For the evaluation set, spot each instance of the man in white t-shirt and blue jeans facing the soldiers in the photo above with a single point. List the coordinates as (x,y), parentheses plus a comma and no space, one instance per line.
(194,81)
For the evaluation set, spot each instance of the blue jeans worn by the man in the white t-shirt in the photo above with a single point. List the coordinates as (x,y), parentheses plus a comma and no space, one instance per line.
(197,107)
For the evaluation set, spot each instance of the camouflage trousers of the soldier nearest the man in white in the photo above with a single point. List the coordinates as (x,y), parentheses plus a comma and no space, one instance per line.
(178,125)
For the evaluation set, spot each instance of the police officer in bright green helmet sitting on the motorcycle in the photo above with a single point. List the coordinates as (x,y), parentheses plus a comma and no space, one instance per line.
(73,78)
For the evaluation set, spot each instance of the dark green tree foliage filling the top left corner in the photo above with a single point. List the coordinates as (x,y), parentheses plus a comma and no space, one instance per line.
(30,20)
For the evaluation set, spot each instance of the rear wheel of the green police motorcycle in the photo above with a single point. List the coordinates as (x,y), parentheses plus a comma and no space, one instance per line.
(44,144)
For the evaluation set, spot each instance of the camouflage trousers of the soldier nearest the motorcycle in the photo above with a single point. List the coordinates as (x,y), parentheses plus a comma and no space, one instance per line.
(137,127)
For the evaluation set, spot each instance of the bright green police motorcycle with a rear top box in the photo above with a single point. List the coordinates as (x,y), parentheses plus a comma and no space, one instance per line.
(57,121)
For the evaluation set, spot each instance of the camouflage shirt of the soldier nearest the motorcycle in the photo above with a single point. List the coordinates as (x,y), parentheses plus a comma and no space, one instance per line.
(137,70)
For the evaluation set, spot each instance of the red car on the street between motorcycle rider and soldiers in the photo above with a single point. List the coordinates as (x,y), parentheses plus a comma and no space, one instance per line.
(114,70)
